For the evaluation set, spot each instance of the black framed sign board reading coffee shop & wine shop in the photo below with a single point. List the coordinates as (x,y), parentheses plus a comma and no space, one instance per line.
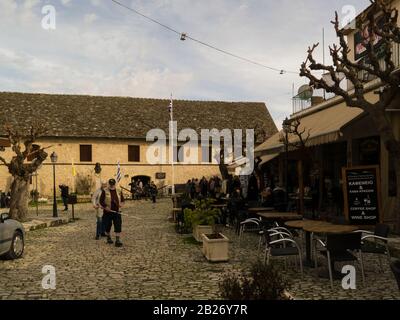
(362,195)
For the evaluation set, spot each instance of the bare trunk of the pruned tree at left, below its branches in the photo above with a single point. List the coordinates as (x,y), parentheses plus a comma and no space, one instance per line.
(19,199)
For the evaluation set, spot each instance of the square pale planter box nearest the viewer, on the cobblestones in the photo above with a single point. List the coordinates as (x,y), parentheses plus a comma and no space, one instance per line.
(216,250)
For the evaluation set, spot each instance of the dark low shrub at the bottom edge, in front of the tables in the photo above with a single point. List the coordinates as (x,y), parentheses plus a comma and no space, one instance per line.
(263,283)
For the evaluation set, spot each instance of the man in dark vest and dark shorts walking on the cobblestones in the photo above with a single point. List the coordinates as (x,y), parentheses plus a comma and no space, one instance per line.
(112,204)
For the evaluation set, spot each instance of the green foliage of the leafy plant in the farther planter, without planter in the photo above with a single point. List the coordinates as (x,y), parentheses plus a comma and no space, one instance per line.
(203,214)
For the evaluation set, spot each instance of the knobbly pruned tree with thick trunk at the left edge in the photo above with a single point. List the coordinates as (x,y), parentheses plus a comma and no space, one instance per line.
(23,147)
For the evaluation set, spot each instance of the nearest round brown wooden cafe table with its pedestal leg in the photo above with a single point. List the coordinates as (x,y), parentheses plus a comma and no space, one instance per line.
(311,226)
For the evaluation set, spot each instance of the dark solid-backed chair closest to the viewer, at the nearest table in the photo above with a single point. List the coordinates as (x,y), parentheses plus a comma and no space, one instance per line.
(338,248)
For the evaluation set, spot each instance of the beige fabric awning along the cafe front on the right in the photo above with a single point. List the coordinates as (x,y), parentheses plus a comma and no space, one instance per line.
(323,126)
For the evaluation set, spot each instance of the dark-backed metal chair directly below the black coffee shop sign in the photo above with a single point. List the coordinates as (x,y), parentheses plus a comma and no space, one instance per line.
(379,245)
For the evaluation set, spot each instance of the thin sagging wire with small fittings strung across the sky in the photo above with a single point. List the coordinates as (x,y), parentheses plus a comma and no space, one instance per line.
(185,36)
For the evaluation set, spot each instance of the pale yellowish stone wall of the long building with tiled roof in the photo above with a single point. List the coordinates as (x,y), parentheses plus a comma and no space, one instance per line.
(107,153)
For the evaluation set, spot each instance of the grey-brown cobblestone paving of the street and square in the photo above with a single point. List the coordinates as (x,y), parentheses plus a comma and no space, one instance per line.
(155,263)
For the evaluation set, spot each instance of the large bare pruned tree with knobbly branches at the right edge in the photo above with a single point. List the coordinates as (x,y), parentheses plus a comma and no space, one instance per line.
(388,31)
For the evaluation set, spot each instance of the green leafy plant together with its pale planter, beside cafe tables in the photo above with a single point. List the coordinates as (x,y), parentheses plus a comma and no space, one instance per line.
(202,219)
